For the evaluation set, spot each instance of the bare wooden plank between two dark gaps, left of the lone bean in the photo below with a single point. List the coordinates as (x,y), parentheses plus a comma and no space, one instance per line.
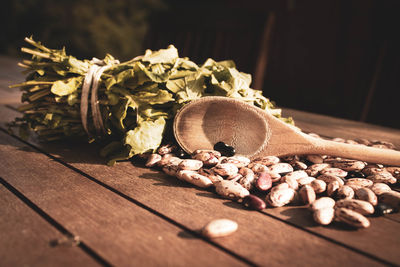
(119,231)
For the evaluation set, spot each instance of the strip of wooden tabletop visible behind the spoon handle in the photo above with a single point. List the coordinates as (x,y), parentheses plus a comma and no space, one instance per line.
(336,127)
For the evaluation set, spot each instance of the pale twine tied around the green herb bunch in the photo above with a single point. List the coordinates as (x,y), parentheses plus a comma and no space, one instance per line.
(90,86)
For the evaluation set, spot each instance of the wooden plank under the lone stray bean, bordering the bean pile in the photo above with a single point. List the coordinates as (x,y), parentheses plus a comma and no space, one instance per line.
(260,238)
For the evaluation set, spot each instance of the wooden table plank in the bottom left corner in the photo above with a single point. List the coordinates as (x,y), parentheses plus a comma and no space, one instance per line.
(24,232)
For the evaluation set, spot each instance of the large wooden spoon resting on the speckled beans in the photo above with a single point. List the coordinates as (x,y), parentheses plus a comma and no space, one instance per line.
(254,132)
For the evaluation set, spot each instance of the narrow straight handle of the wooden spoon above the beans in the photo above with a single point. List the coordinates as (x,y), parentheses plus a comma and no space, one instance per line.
(360,152)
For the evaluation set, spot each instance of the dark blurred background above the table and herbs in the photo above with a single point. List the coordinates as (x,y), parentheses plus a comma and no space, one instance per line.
(333,57)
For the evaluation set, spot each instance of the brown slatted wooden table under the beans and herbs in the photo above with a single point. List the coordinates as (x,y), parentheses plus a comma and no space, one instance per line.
(60,205)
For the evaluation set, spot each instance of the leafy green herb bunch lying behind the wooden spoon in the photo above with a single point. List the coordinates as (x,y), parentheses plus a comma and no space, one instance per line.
(137,99)
